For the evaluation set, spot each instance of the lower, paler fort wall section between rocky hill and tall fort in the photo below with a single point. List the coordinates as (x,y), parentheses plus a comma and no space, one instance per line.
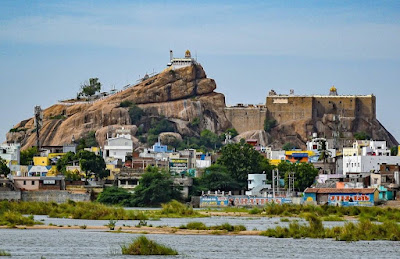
(246,118)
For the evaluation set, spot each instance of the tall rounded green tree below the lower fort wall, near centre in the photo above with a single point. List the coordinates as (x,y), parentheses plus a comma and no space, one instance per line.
(240,159)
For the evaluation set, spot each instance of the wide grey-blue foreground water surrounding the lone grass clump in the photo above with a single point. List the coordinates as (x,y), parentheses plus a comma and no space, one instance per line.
(68,243)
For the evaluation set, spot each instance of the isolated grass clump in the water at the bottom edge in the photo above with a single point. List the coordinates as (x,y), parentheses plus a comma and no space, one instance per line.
(144,246)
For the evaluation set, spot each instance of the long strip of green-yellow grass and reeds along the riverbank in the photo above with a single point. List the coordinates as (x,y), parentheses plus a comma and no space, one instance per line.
(311,226)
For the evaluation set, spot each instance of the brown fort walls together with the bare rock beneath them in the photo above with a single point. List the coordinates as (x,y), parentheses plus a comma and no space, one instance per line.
(298,116)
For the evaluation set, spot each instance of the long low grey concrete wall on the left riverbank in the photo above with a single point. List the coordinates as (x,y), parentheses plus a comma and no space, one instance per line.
(56,196)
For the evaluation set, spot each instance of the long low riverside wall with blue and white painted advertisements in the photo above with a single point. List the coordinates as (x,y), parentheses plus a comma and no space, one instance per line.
(225,201)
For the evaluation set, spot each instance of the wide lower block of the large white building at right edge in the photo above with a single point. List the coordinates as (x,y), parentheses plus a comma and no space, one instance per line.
(358,164)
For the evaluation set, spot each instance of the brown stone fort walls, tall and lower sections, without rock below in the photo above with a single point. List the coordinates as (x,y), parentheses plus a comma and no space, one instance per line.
(283,108)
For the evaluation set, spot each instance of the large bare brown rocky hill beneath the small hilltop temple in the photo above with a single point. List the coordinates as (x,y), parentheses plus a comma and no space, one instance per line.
(181,96)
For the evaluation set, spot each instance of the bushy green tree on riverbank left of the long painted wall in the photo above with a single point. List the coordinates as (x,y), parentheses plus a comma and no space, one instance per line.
(155,187)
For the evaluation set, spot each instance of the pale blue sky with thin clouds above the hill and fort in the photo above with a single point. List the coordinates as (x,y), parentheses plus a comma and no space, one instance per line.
(48,48)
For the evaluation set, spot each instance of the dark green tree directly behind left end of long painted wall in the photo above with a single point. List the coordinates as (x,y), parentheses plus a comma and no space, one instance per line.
(216,178)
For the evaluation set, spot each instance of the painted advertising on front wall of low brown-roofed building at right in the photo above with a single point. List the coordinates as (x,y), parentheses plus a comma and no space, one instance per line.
(351,199)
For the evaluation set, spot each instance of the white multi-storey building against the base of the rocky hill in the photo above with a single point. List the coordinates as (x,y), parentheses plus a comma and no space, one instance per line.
(118,147)
